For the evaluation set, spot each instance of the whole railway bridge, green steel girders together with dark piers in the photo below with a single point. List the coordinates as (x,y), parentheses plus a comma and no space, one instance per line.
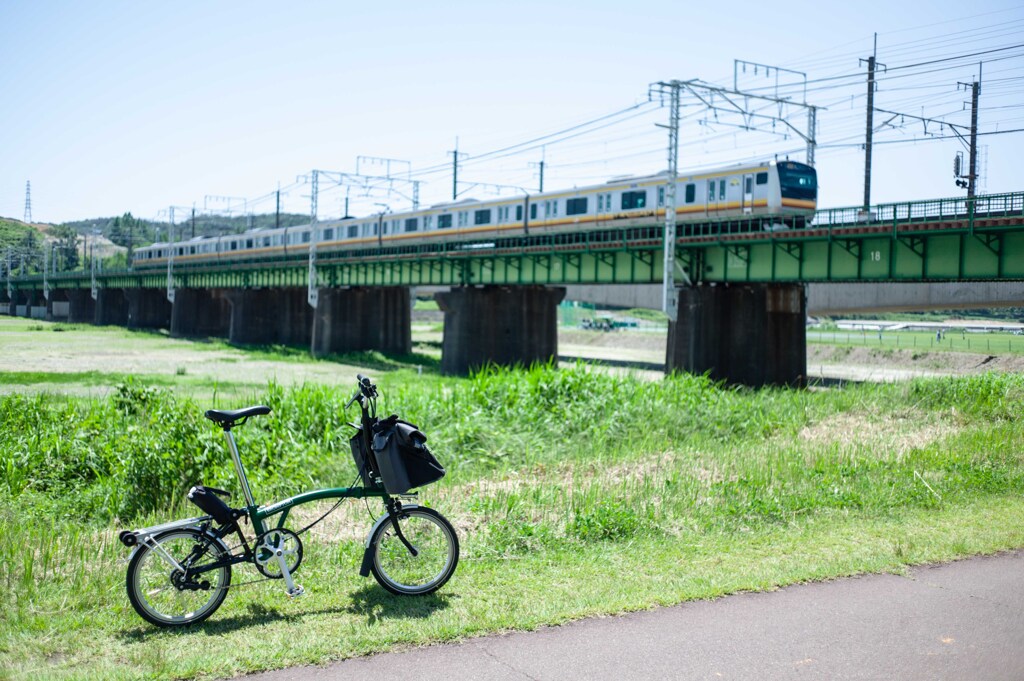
(742,309)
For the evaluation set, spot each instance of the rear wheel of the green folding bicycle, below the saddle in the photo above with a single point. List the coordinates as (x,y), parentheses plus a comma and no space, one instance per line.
(179,579)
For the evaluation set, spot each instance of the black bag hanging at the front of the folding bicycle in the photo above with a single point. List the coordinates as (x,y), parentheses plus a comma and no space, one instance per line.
(403,457)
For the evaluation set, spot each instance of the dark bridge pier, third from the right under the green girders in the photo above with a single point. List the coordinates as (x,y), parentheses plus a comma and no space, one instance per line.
(363,319)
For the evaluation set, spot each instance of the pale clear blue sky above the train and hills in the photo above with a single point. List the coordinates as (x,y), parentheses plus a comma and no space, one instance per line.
(115,107)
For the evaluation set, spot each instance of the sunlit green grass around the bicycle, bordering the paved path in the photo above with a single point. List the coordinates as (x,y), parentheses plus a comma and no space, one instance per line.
(575,493)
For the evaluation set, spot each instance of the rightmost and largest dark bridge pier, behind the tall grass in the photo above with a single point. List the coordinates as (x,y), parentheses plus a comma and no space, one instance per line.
(751,334)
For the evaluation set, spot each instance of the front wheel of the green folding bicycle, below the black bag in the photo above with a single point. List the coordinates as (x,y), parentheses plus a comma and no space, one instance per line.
(437,546)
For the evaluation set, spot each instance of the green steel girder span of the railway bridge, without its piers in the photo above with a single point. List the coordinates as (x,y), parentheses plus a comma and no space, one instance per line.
(924,241)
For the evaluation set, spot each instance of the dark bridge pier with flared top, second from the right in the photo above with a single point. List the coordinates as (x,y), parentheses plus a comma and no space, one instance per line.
(499,325)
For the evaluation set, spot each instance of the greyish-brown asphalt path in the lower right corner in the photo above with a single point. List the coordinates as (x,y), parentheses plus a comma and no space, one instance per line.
(959,621)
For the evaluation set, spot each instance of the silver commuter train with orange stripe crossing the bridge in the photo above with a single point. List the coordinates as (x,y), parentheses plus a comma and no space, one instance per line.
(785,193)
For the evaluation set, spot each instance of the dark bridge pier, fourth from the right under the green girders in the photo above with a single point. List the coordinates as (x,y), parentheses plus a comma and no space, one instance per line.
(271,316)
